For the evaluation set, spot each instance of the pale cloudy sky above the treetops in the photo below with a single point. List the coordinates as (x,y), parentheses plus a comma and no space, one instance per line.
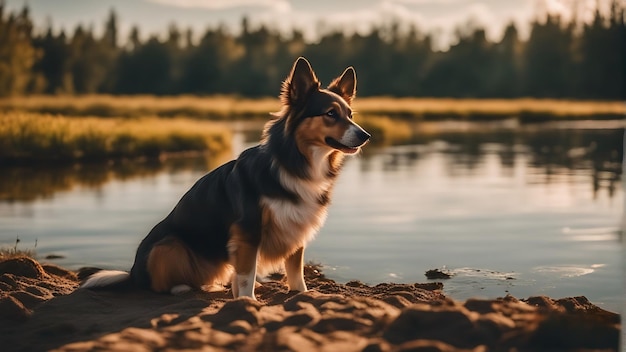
(441,17)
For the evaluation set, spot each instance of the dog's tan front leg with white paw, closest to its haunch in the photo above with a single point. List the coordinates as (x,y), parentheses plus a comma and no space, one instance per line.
(243,256)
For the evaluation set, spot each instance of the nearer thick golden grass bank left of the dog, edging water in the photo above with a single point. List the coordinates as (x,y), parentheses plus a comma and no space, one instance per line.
(39,137)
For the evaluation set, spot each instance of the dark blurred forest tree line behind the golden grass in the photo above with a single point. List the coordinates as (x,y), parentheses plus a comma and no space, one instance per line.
(560,59)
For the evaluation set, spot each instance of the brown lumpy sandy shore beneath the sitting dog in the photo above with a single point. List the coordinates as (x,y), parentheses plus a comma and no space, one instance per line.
(40,309)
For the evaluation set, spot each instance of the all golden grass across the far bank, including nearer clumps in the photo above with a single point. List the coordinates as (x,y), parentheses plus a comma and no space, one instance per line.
(99,127)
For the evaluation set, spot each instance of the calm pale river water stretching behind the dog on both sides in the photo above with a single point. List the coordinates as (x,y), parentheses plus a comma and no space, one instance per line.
(530,209)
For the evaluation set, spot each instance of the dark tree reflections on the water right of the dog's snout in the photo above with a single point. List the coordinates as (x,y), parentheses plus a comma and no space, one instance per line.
(553,149)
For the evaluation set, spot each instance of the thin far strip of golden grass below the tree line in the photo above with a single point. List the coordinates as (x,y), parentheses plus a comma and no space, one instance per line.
(228,107)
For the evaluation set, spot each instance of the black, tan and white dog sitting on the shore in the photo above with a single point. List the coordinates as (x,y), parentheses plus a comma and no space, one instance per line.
(260,209)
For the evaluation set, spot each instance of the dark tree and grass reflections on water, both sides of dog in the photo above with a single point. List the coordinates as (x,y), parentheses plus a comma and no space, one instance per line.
(553,149)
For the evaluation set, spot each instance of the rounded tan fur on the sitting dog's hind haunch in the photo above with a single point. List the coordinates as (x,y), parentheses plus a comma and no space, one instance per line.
(171,263)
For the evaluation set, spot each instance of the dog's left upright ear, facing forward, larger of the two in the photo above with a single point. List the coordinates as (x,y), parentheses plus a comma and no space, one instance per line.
(300,82)
